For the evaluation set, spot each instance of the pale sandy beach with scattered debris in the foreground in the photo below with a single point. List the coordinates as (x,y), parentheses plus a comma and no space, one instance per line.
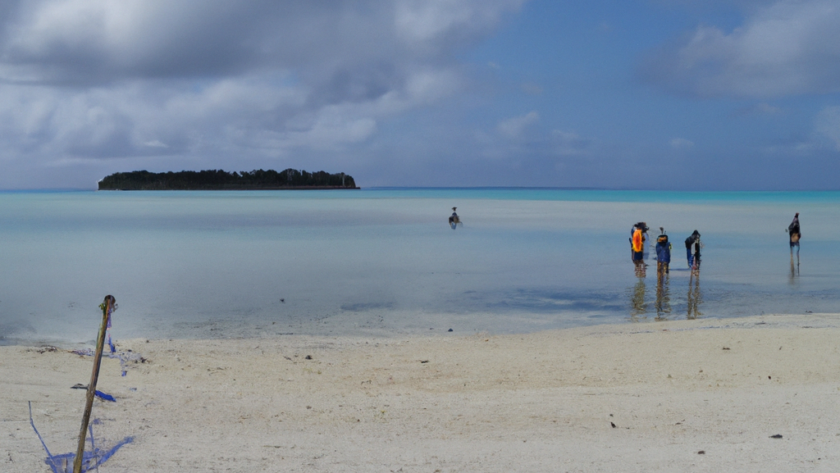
(701,395)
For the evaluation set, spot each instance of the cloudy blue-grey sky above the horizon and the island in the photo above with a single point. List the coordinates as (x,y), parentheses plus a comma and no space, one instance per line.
(645,94)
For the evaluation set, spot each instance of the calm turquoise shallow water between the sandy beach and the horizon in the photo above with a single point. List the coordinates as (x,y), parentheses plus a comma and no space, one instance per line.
(384,261)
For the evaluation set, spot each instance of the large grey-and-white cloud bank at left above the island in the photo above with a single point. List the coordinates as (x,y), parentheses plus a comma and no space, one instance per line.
(92,79)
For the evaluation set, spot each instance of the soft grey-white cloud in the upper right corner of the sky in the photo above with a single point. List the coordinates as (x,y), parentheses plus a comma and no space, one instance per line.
(790,47)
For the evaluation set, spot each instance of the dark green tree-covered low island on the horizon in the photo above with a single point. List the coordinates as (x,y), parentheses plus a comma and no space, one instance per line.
(221,180)
